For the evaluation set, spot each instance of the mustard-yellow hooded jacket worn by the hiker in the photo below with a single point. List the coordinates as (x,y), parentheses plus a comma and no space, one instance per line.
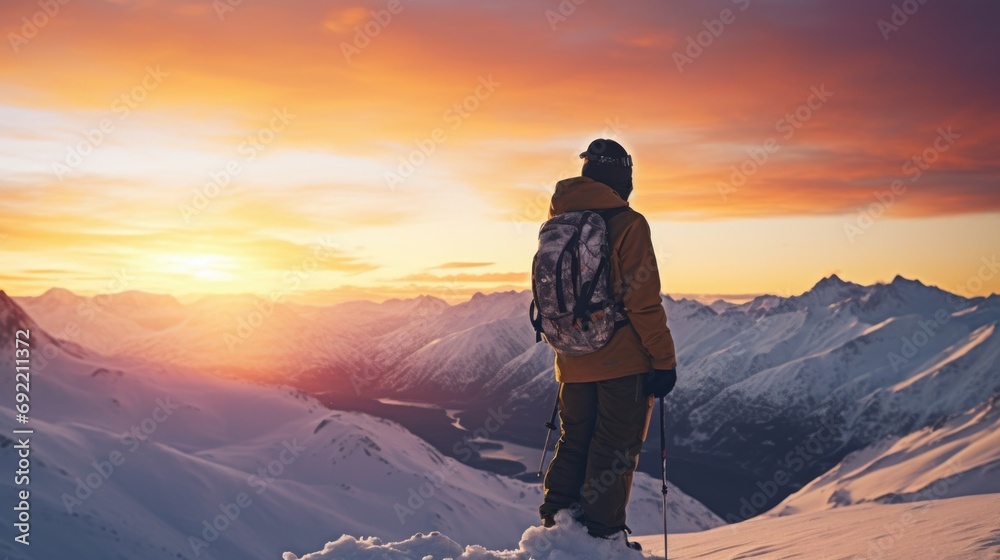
(646,343)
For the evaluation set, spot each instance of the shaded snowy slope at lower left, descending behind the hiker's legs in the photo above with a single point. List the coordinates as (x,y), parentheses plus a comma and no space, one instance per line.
(141,460)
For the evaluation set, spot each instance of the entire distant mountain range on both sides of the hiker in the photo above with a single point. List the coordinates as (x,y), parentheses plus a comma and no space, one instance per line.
(781,387)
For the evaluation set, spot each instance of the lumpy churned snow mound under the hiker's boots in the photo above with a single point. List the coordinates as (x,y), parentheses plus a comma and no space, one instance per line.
(567,540)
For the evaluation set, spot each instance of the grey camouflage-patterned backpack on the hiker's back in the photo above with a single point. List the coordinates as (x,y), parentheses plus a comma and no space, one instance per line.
(572,307)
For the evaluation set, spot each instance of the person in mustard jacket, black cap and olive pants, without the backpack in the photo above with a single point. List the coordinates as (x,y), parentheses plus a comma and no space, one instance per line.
(606,397)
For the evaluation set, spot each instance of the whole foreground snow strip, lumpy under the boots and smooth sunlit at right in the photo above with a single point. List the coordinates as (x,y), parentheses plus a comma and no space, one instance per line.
(966,528)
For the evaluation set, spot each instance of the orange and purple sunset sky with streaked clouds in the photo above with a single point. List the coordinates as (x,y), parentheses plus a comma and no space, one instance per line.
(261,146)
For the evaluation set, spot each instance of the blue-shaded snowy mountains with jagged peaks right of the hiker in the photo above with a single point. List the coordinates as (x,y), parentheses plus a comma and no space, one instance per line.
(794,384)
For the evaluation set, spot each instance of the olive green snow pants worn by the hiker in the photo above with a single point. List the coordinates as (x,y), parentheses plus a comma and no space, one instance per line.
(603,425)
